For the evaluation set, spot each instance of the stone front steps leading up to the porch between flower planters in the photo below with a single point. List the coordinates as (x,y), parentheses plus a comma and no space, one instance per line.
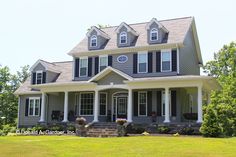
(102,129)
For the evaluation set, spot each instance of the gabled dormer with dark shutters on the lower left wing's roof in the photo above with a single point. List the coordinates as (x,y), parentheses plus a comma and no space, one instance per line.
(43,72)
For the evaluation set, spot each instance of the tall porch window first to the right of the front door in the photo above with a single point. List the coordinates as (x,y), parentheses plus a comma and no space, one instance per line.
(142,103)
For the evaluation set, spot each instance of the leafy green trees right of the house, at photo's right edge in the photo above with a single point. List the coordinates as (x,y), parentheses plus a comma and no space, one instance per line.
(223,102)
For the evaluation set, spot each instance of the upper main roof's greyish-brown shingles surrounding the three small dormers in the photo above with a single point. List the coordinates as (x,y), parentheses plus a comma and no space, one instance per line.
(177,30)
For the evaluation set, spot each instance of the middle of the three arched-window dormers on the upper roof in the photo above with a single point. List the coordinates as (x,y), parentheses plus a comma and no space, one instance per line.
(126,35)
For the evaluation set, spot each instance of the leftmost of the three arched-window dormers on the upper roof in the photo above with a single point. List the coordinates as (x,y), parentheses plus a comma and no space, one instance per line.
(97,39)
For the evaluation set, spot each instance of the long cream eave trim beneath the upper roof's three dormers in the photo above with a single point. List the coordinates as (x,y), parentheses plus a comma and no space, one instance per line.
(123,50)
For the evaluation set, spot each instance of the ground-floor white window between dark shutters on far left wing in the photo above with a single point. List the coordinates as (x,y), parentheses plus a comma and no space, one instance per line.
(34,106)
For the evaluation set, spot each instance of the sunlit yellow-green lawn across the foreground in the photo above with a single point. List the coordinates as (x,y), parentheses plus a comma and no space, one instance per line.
(69,146)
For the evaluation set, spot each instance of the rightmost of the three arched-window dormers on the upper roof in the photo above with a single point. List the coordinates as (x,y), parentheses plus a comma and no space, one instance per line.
(156,32)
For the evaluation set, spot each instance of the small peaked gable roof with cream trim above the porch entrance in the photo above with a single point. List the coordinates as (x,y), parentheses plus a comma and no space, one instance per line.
(106,71)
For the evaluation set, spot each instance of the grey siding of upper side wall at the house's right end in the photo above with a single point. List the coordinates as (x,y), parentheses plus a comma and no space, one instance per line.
(188,57)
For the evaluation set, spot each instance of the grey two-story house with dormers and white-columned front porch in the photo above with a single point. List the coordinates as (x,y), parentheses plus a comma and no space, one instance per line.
(135,71)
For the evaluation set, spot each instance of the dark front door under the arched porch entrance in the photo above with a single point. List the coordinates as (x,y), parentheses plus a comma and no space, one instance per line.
(121,107)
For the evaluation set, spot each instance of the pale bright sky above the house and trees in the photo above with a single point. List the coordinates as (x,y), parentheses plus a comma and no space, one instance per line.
(49,29)
